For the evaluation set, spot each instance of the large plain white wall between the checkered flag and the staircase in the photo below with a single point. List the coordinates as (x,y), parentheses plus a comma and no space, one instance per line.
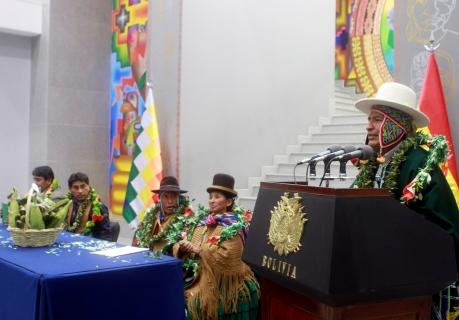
(255,74)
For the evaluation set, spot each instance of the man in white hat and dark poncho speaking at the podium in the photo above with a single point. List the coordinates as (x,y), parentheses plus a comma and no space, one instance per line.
(408,165)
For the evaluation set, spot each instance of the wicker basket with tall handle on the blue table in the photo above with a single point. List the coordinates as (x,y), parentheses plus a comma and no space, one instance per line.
(27,237)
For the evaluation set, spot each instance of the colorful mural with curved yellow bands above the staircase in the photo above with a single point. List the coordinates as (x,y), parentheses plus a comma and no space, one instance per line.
(364,43)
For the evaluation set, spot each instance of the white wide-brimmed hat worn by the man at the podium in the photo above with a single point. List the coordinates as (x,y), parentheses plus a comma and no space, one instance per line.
(397,96)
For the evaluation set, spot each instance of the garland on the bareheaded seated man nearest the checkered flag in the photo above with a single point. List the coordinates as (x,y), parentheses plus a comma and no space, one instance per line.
(91,200)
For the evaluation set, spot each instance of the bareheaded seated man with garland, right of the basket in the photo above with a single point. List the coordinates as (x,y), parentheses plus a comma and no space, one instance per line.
(86,214)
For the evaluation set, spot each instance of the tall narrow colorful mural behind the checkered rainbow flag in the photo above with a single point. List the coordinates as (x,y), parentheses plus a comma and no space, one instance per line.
(127,96)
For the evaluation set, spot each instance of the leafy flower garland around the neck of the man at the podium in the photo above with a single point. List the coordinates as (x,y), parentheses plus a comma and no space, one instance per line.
(437,154)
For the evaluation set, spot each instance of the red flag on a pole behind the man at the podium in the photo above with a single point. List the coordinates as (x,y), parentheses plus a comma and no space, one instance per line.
(432,103)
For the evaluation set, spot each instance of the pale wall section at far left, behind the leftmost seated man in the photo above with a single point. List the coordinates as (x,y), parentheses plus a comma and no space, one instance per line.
(15,66)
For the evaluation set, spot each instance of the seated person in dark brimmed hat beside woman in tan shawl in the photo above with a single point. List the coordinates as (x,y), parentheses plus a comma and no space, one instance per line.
(169,204)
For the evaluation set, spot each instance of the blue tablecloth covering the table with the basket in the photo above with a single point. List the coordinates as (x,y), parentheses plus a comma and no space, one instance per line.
(65,282)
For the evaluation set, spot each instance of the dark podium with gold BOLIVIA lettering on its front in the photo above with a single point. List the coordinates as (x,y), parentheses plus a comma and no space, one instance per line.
(362,256)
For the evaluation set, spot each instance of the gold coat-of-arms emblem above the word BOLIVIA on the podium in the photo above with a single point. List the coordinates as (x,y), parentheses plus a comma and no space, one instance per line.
(286,224)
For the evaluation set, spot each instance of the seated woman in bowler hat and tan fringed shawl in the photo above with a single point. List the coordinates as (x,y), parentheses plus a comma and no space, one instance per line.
(223,286)
